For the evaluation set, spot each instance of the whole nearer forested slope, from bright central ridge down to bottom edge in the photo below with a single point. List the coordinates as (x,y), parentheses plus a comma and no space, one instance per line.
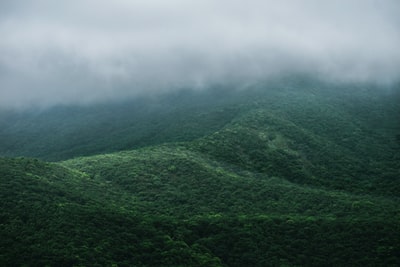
(170,206)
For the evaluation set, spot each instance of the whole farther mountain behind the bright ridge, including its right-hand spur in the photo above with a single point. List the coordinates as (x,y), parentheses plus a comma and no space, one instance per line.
(339,136)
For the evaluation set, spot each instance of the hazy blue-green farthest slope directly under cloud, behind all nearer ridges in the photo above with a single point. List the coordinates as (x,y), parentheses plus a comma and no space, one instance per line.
(345,114)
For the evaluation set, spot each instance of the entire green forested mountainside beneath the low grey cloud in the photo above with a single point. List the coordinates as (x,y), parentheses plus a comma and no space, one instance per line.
(287,172)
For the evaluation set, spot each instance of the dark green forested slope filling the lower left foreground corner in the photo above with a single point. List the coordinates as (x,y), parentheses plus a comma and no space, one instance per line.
(55,216)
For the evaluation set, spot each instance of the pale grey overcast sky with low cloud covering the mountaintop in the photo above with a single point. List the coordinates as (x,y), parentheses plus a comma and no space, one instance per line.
(84,50)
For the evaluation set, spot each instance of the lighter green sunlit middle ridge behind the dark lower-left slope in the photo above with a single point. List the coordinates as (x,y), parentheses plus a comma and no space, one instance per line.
(189,183)
